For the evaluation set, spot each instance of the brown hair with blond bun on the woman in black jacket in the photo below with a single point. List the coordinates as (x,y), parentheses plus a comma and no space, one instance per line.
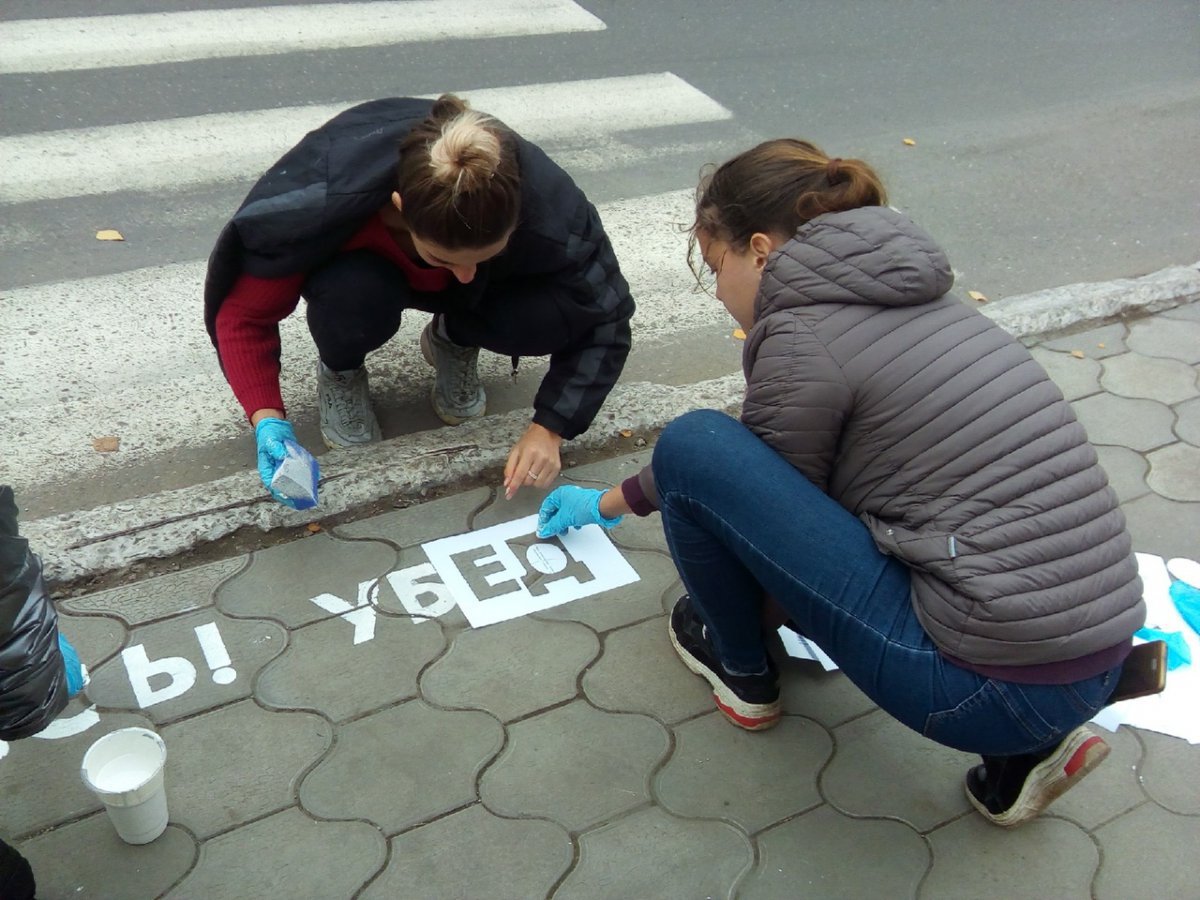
(459,178)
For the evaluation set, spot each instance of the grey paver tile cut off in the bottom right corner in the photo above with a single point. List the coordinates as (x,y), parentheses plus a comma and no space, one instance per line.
(1148,853)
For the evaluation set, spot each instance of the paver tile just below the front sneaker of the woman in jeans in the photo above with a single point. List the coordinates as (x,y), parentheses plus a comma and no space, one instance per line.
(753,779)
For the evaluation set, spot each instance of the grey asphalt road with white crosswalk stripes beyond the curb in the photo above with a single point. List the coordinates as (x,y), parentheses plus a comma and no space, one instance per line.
(1054,143)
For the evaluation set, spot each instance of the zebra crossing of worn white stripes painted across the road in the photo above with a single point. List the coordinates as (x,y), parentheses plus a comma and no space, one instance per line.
(121,350)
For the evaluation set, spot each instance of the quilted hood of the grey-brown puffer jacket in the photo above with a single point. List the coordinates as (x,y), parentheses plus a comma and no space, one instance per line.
(871,255)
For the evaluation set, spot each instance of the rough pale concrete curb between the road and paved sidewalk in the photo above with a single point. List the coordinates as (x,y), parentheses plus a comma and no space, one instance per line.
(104,541)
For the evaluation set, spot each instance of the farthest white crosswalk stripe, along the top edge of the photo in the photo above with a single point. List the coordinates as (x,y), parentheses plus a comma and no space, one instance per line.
(59,45)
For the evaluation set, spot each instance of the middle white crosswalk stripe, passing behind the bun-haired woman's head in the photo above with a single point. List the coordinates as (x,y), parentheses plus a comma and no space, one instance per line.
(178,153)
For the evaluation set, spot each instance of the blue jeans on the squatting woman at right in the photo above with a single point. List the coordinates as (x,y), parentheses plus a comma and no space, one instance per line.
(741,521)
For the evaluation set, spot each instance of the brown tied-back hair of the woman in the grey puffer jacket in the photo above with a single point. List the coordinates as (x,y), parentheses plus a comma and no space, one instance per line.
(778,187)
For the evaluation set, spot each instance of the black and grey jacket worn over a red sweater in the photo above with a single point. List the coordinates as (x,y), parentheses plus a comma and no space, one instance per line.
(322,191)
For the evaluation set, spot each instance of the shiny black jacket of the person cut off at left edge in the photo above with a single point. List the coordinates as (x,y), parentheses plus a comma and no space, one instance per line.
(33,682)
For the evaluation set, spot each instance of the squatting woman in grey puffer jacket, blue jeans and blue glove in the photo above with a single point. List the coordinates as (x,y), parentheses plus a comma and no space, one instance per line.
(905,482)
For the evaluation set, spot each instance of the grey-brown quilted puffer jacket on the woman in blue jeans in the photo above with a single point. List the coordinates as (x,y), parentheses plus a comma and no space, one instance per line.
(941,433)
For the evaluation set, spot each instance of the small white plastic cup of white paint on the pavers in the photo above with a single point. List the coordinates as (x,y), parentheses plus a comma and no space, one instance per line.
(124,770)
